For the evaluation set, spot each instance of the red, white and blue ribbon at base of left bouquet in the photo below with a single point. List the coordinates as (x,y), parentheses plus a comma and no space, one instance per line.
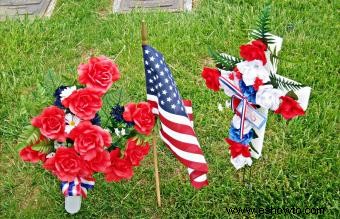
(78,187)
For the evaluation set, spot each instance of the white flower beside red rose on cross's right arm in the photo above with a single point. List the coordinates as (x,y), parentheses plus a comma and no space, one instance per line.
(268,97)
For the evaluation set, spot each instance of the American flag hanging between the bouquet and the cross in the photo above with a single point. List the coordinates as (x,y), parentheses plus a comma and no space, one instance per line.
(175,116)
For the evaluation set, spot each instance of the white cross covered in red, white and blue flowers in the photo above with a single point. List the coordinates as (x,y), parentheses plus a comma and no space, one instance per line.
(255,87)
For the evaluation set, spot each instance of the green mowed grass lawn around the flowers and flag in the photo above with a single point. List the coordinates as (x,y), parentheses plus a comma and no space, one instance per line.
(300,163)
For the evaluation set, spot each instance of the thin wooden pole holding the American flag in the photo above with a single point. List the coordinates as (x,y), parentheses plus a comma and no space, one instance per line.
(155,159)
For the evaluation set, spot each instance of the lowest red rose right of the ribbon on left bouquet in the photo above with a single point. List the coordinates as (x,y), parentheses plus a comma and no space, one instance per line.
(119,169)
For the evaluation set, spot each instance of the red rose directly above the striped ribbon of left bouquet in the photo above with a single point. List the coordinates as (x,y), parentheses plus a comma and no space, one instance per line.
(67,164)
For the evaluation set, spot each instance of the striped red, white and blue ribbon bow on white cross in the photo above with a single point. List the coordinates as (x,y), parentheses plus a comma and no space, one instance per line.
(246,110)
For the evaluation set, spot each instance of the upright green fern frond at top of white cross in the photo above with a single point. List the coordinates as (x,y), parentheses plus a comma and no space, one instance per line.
(262,27)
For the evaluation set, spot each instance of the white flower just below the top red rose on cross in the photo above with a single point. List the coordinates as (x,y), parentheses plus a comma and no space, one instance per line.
(251,70)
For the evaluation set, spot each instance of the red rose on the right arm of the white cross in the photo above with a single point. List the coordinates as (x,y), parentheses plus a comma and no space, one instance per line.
(289,108)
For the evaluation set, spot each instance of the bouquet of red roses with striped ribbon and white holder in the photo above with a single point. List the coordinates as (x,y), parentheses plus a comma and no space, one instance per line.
(70,141)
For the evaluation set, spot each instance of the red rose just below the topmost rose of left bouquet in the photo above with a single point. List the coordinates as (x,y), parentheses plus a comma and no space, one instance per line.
(84,103)
